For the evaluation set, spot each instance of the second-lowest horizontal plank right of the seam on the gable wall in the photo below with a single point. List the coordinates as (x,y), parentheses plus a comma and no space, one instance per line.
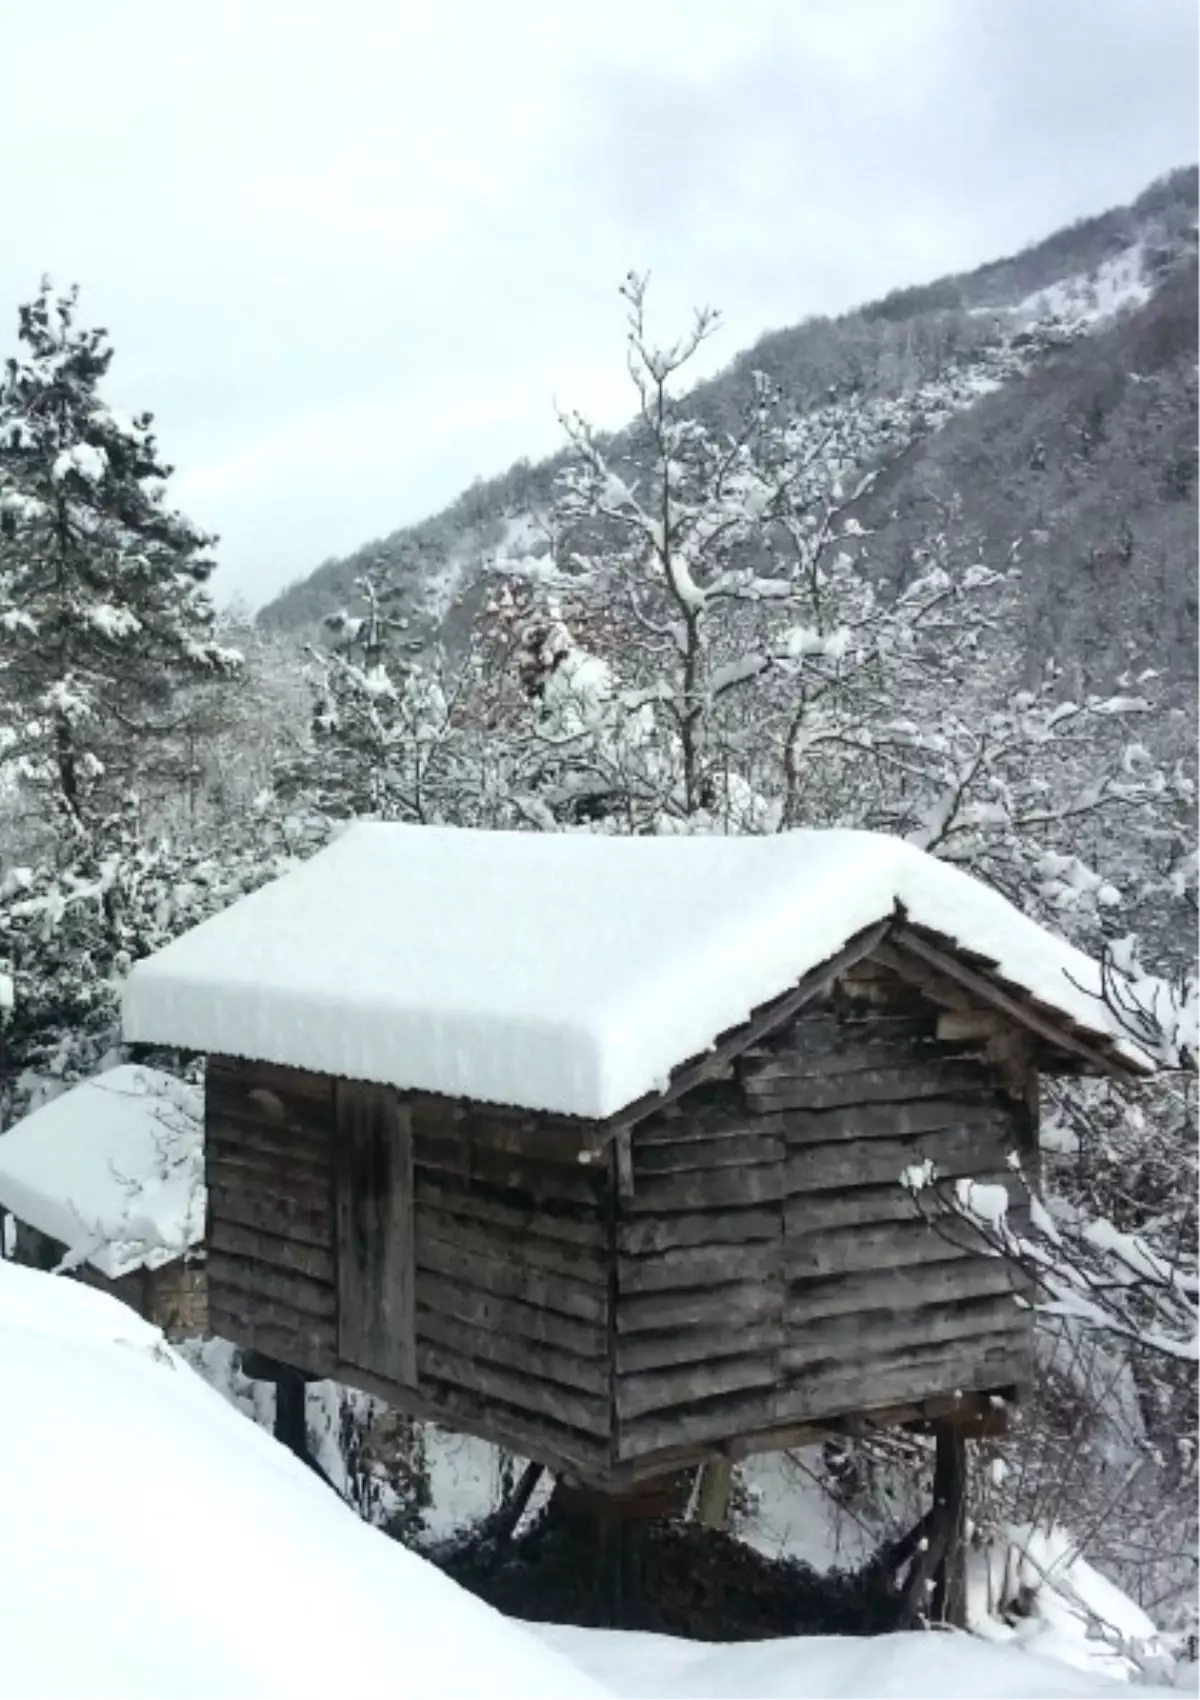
(864,1337)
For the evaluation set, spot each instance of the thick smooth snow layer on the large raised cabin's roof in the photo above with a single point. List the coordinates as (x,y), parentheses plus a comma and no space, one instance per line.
(553,972)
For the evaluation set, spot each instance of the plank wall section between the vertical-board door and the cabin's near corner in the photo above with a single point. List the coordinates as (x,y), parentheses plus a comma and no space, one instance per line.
(512,1278)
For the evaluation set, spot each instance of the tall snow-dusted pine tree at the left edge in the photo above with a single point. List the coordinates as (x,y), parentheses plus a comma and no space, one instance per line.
(103,601)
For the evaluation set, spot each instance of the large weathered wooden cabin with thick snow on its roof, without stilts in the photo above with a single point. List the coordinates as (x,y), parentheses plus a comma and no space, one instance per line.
(604,1150)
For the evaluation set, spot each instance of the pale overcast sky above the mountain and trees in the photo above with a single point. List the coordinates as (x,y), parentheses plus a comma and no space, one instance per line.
(351,254)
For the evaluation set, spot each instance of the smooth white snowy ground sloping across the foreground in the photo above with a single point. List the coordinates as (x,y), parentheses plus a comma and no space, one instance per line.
(157,1544)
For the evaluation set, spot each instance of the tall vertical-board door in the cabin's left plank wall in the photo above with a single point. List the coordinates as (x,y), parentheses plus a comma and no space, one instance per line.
(375,1191)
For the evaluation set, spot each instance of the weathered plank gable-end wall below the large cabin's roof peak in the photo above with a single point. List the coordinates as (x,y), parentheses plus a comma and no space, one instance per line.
(771,1267)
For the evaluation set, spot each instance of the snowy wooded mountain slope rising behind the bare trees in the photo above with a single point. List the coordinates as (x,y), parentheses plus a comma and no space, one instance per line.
(1039,353)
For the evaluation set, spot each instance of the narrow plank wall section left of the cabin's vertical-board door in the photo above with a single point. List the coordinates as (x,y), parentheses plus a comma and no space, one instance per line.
(271,1235)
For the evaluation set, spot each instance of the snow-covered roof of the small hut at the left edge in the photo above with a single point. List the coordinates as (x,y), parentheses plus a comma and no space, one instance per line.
(113,1170)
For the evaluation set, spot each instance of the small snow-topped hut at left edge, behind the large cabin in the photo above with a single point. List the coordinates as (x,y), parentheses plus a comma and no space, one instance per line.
(106,1182)
